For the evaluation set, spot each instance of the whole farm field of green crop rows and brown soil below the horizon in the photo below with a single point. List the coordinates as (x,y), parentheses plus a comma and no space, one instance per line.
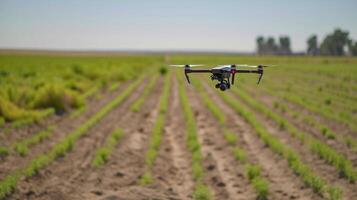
(129,127)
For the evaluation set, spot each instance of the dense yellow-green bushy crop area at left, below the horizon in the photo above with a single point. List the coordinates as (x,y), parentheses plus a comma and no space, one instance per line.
(30,85)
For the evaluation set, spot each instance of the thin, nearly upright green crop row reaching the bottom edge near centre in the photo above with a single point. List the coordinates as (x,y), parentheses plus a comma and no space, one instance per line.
(201,191)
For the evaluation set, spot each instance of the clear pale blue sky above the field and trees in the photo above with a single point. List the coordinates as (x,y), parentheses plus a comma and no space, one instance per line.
(224,25)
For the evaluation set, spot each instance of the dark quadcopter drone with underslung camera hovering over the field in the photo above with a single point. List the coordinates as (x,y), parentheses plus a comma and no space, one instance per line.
(222,73)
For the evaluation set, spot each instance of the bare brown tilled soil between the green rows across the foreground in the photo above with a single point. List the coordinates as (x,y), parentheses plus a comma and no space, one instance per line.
(74,176)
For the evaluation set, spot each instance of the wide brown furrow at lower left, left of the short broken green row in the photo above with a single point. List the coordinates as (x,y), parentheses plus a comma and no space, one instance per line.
(64,175)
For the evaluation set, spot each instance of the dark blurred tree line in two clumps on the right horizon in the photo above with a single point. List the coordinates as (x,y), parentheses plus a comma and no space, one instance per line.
(337,43)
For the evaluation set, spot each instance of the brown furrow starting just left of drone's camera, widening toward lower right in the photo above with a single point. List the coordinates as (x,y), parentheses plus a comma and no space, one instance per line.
(283,184)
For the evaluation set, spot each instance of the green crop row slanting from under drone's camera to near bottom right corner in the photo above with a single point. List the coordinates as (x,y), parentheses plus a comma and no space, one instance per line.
(317,184)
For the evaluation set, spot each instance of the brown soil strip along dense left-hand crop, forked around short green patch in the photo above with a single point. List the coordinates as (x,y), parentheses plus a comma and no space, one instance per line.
(63,126)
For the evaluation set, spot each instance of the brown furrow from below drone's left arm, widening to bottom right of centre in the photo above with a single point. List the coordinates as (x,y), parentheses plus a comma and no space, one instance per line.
(225,174)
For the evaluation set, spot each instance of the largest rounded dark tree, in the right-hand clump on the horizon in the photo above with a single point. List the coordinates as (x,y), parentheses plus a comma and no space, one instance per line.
(334,44)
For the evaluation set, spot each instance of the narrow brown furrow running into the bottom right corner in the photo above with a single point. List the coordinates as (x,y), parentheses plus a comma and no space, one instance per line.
(319,166)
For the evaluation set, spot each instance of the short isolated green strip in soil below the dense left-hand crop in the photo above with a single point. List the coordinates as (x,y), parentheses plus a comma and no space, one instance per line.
(22,147)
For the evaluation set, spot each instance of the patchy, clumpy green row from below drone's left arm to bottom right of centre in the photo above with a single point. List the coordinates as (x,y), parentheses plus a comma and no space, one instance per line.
(253,172)
